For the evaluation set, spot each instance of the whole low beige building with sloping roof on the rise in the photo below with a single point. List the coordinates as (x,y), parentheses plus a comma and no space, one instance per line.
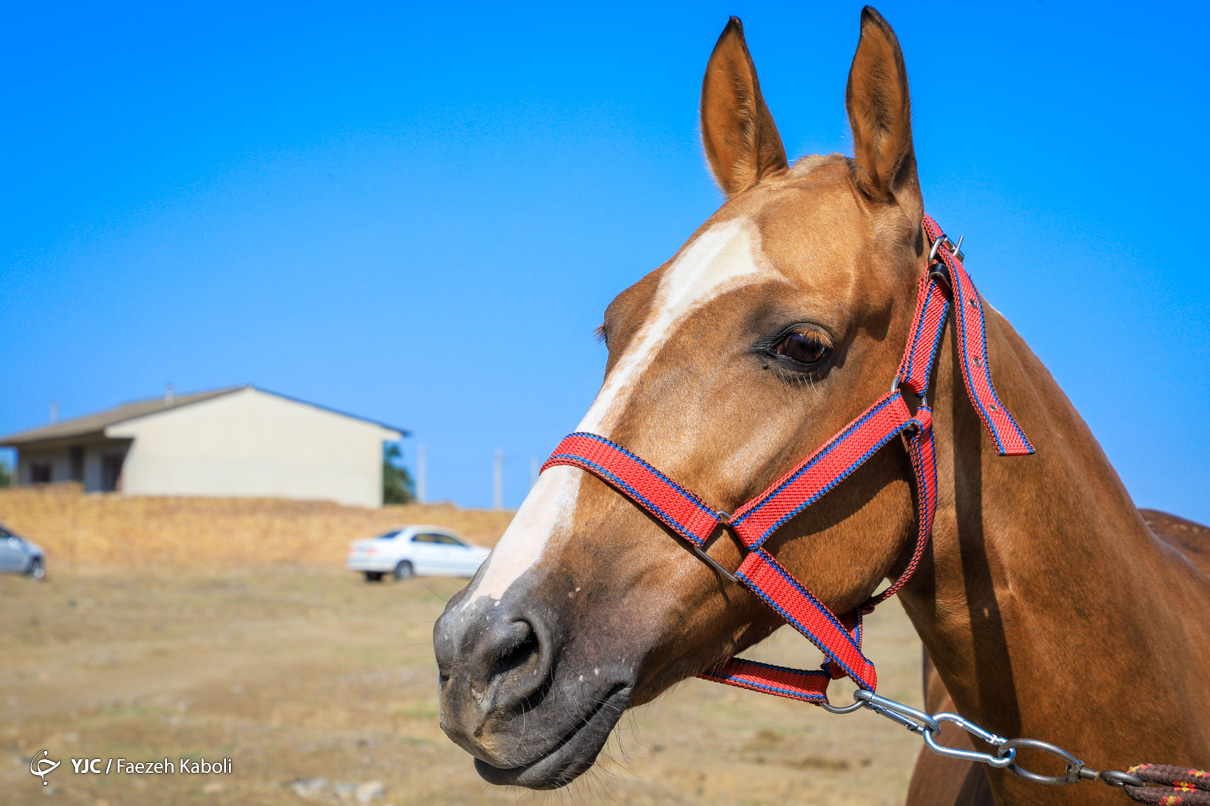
(234,442)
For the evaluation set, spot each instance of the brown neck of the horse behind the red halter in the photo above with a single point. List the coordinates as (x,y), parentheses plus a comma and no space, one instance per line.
(1048,607)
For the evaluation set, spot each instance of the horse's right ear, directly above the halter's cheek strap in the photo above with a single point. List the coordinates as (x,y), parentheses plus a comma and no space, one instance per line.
(880,113)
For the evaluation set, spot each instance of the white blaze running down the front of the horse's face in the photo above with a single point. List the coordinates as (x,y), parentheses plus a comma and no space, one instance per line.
(724,258)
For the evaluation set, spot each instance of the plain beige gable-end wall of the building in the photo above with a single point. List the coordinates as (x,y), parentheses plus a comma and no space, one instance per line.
(252,444)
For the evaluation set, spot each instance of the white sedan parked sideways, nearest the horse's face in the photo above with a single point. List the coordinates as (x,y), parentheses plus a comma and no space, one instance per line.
(416,550)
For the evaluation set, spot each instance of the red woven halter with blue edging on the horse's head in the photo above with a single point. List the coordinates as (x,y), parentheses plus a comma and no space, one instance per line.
(838,637)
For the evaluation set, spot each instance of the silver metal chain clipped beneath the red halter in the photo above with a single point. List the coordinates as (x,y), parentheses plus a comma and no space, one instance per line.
(930,729)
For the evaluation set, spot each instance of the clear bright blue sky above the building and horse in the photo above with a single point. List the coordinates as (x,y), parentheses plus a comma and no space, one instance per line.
(418,214)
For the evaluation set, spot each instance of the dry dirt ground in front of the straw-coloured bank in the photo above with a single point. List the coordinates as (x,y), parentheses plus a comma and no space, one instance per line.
(321,689)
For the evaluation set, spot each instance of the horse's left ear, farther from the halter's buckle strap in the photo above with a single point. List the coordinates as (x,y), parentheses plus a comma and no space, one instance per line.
(737,130)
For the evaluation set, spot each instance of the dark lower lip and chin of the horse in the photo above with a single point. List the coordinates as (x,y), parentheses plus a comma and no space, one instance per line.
(573,755)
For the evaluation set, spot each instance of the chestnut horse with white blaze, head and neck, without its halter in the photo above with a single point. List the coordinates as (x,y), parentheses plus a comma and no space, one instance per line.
(1047,606)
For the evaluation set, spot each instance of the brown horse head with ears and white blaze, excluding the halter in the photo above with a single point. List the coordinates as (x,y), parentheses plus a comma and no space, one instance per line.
(782,318)
